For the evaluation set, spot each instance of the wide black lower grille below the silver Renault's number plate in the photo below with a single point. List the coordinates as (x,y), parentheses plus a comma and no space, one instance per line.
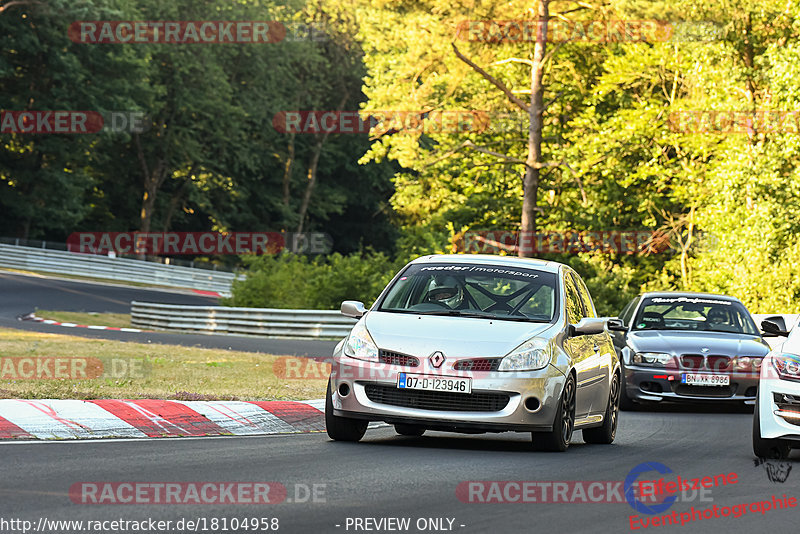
(437,400)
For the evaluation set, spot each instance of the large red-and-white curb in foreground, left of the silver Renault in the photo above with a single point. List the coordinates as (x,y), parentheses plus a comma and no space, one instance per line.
(152,418)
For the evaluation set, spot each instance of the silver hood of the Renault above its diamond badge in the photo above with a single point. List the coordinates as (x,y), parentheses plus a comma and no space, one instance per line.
(456,337)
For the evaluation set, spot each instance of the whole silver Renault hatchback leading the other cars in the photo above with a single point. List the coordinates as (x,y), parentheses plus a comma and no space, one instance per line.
(471,343)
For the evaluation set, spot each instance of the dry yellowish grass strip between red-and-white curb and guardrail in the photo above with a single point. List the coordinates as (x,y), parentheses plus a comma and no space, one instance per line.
(159,371)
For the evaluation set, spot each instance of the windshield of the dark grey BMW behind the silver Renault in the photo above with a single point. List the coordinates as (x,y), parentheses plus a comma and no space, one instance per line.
(694,313)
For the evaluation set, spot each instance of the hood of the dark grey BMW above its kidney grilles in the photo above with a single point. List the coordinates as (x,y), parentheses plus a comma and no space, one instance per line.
(683,342)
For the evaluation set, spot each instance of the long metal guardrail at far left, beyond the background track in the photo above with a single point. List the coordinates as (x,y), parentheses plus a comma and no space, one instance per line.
(122,269)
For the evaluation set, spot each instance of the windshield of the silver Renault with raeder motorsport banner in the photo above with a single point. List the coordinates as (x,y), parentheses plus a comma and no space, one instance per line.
(490,291)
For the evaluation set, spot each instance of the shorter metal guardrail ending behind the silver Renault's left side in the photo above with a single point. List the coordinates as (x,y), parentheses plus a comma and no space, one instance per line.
(249,321)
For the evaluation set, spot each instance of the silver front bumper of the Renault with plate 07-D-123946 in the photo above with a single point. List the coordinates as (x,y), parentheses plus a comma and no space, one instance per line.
(373,395)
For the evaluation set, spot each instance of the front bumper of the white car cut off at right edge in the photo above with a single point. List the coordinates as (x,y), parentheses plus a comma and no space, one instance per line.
(779,406)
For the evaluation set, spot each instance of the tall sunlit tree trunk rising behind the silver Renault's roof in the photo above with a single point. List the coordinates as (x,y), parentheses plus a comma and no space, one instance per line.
(530,184)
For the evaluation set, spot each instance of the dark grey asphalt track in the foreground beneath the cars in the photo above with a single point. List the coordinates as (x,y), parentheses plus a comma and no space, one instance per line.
(391,476)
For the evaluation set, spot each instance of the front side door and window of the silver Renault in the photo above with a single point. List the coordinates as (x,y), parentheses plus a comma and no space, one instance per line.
(578,347)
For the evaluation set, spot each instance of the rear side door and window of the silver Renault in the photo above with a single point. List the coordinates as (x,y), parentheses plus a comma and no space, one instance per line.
(600,361)
